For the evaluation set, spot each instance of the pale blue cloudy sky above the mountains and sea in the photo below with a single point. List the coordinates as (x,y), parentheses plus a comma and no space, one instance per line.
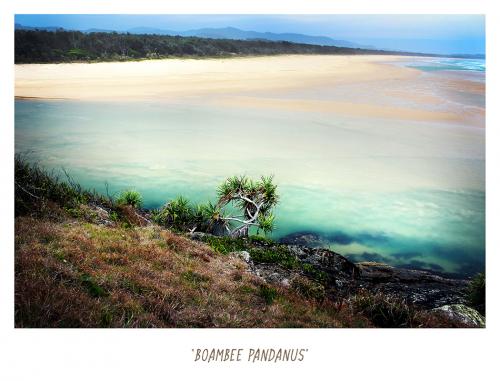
(443,34)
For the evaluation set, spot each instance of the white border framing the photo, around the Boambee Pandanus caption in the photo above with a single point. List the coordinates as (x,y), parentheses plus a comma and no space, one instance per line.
(163,354)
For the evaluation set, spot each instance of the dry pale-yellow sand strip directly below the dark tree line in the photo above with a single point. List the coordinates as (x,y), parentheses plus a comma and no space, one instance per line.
(162,79)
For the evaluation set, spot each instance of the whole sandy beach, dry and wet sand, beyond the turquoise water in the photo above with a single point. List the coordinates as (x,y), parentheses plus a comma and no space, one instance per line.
(371,86)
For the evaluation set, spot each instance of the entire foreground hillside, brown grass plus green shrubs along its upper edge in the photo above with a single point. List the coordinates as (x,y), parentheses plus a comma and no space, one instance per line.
(83,260)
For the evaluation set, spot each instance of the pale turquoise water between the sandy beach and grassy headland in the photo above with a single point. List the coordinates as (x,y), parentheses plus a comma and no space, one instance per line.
(406,193)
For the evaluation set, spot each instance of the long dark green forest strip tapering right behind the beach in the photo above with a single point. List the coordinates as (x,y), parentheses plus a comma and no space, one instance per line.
(38,46)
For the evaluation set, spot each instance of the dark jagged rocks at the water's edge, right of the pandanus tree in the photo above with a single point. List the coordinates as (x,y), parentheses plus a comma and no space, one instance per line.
(341,277)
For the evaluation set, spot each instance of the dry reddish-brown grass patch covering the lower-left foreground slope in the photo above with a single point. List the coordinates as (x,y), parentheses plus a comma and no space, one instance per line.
(77,274)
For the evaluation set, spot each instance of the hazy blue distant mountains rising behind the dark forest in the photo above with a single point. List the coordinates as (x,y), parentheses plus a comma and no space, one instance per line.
(228,33)
